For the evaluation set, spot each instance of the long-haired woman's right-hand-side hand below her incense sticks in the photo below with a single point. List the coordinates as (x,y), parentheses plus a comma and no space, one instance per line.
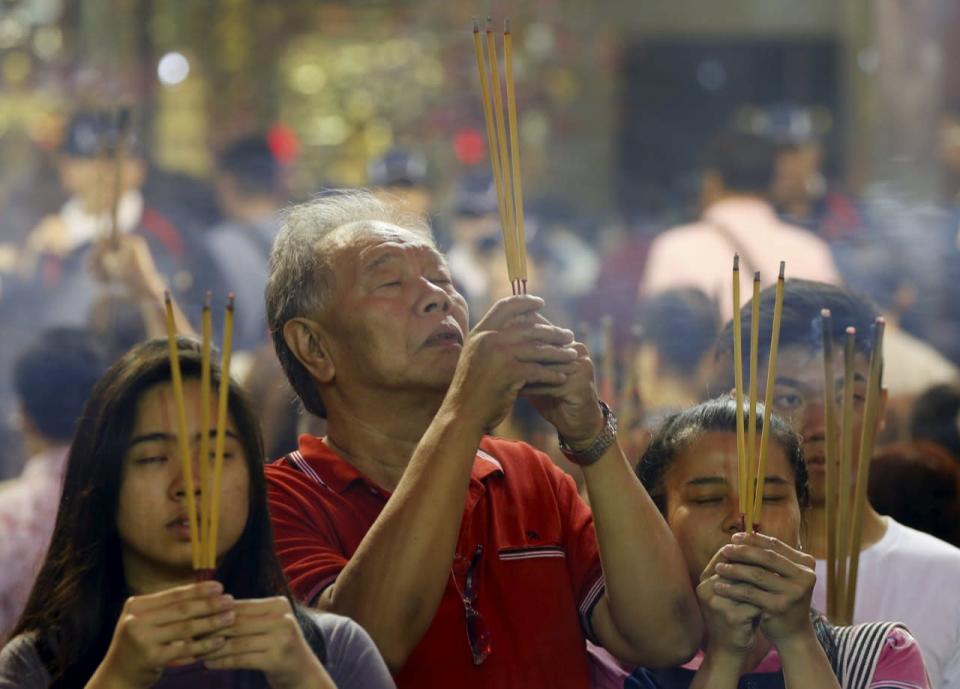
(267,637)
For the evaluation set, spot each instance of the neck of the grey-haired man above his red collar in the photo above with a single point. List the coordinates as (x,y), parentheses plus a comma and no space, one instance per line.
(378,437)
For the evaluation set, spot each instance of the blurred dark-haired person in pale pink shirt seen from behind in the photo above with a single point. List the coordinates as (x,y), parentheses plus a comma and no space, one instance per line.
(737,218)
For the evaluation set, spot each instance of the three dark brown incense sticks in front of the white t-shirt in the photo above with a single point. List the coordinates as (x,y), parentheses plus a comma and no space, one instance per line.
(845,521)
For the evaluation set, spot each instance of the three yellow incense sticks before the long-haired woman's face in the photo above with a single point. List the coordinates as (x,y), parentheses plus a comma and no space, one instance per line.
(203,528)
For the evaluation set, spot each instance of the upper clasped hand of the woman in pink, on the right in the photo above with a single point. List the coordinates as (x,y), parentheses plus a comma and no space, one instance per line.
(766,573)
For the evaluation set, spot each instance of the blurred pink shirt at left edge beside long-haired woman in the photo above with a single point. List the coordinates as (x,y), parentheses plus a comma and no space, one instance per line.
(28,510)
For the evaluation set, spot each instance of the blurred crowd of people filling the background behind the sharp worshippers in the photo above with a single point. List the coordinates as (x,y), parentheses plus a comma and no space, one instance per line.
(91,244)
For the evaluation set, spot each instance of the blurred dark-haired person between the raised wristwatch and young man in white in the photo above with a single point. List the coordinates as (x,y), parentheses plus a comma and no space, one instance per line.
(673,359)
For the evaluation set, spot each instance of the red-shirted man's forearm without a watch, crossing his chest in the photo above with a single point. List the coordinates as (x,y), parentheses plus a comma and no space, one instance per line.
(394,582)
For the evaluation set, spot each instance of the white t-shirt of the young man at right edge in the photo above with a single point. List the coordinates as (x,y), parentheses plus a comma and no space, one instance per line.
(911,577)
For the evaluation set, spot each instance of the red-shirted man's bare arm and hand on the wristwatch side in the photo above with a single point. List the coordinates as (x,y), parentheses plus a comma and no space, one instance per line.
(648,614)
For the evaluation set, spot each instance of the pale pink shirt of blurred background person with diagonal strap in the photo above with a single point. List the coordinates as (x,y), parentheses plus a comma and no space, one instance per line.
(701,254)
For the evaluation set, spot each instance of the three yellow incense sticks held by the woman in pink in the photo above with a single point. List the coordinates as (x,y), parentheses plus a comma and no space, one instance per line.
(751,464)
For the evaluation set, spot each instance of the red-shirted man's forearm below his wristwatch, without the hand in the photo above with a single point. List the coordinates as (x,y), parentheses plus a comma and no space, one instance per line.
(648,593)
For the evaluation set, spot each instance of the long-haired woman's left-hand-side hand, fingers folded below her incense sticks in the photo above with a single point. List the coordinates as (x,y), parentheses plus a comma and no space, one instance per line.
(173,627)
